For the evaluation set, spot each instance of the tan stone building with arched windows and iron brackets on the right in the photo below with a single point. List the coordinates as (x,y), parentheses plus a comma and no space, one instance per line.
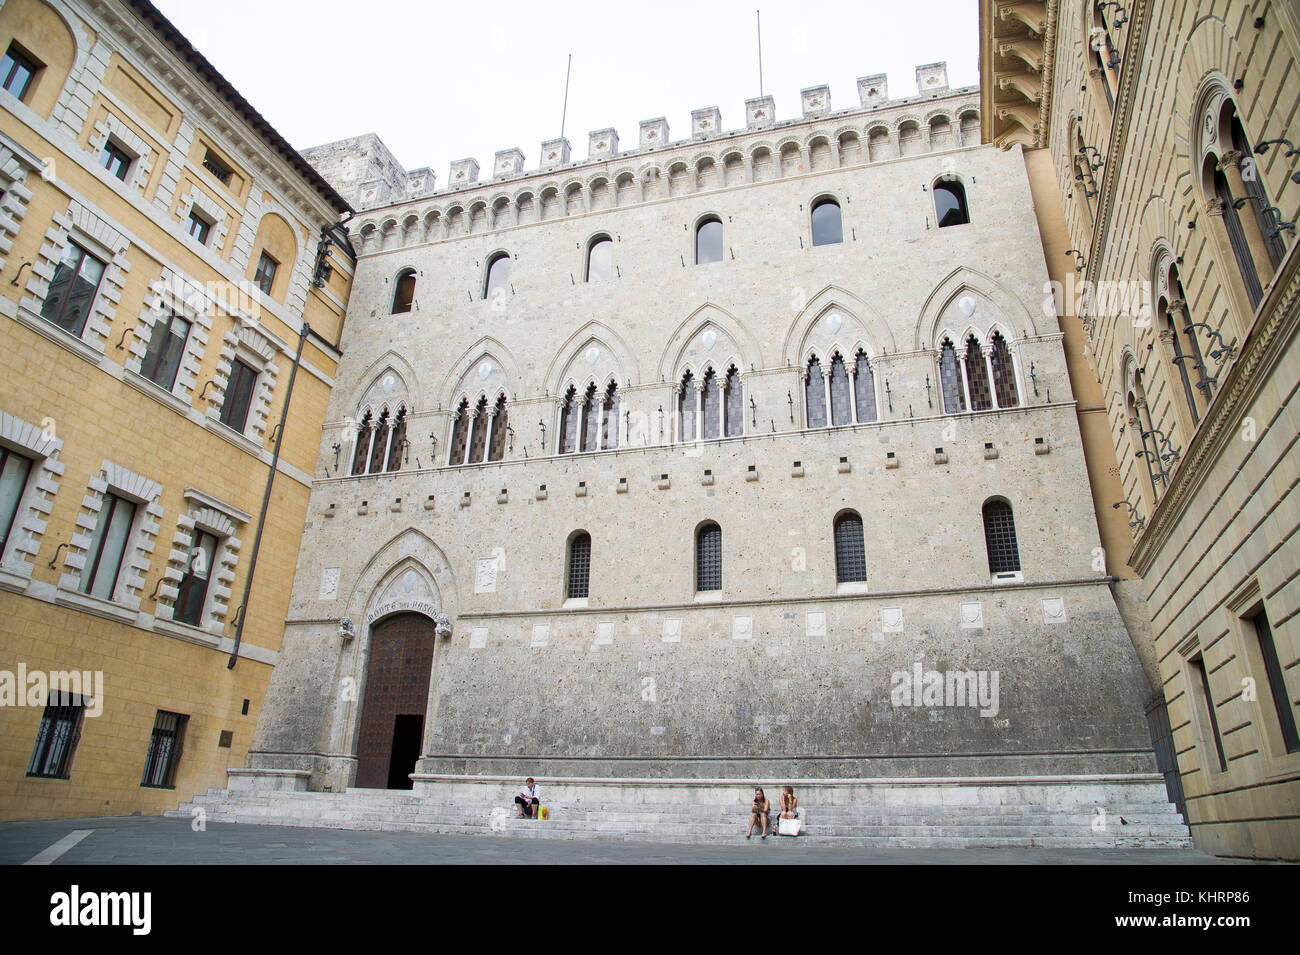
(1160,142)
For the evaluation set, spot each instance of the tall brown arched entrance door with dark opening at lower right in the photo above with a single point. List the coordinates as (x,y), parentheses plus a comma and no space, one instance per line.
(397,693)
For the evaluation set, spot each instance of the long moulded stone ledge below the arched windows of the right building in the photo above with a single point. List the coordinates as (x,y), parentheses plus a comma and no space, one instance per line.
(1271,337)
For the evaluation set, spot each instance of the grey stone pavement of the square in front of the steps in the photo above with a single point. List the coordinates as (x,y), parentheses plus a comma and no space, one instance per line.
(155,841)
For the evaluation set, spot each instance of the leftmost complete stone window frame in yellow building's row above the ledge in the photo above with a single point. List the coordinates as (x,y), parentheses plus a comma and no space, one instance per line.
(101,238)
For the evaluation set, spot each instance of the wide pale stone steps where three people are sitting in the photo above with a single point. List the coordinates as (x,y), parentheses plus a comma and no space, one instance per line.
(1047,811)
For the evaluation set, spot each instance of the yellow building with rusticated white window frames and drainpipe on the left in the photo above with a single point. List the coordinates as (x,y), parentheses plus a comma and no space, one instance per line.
(164,259)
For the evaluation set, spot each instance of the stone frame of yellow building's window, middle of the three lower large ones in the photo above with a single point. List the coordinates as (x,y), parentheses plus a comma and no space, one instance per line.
(146,494)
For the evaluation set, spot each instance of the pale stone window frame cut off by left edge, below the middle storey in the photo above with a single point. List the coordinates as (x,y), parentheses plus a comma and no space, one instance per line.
(38,498)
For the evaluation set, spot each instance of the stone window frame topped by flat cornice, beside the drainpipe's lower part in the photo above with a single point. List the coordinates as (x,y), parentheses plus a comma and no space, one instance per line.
(224,522)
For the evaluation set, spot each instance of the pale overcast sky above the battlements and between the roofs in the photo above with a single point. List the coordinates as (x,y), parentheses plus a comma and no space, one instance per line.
(440,81)
